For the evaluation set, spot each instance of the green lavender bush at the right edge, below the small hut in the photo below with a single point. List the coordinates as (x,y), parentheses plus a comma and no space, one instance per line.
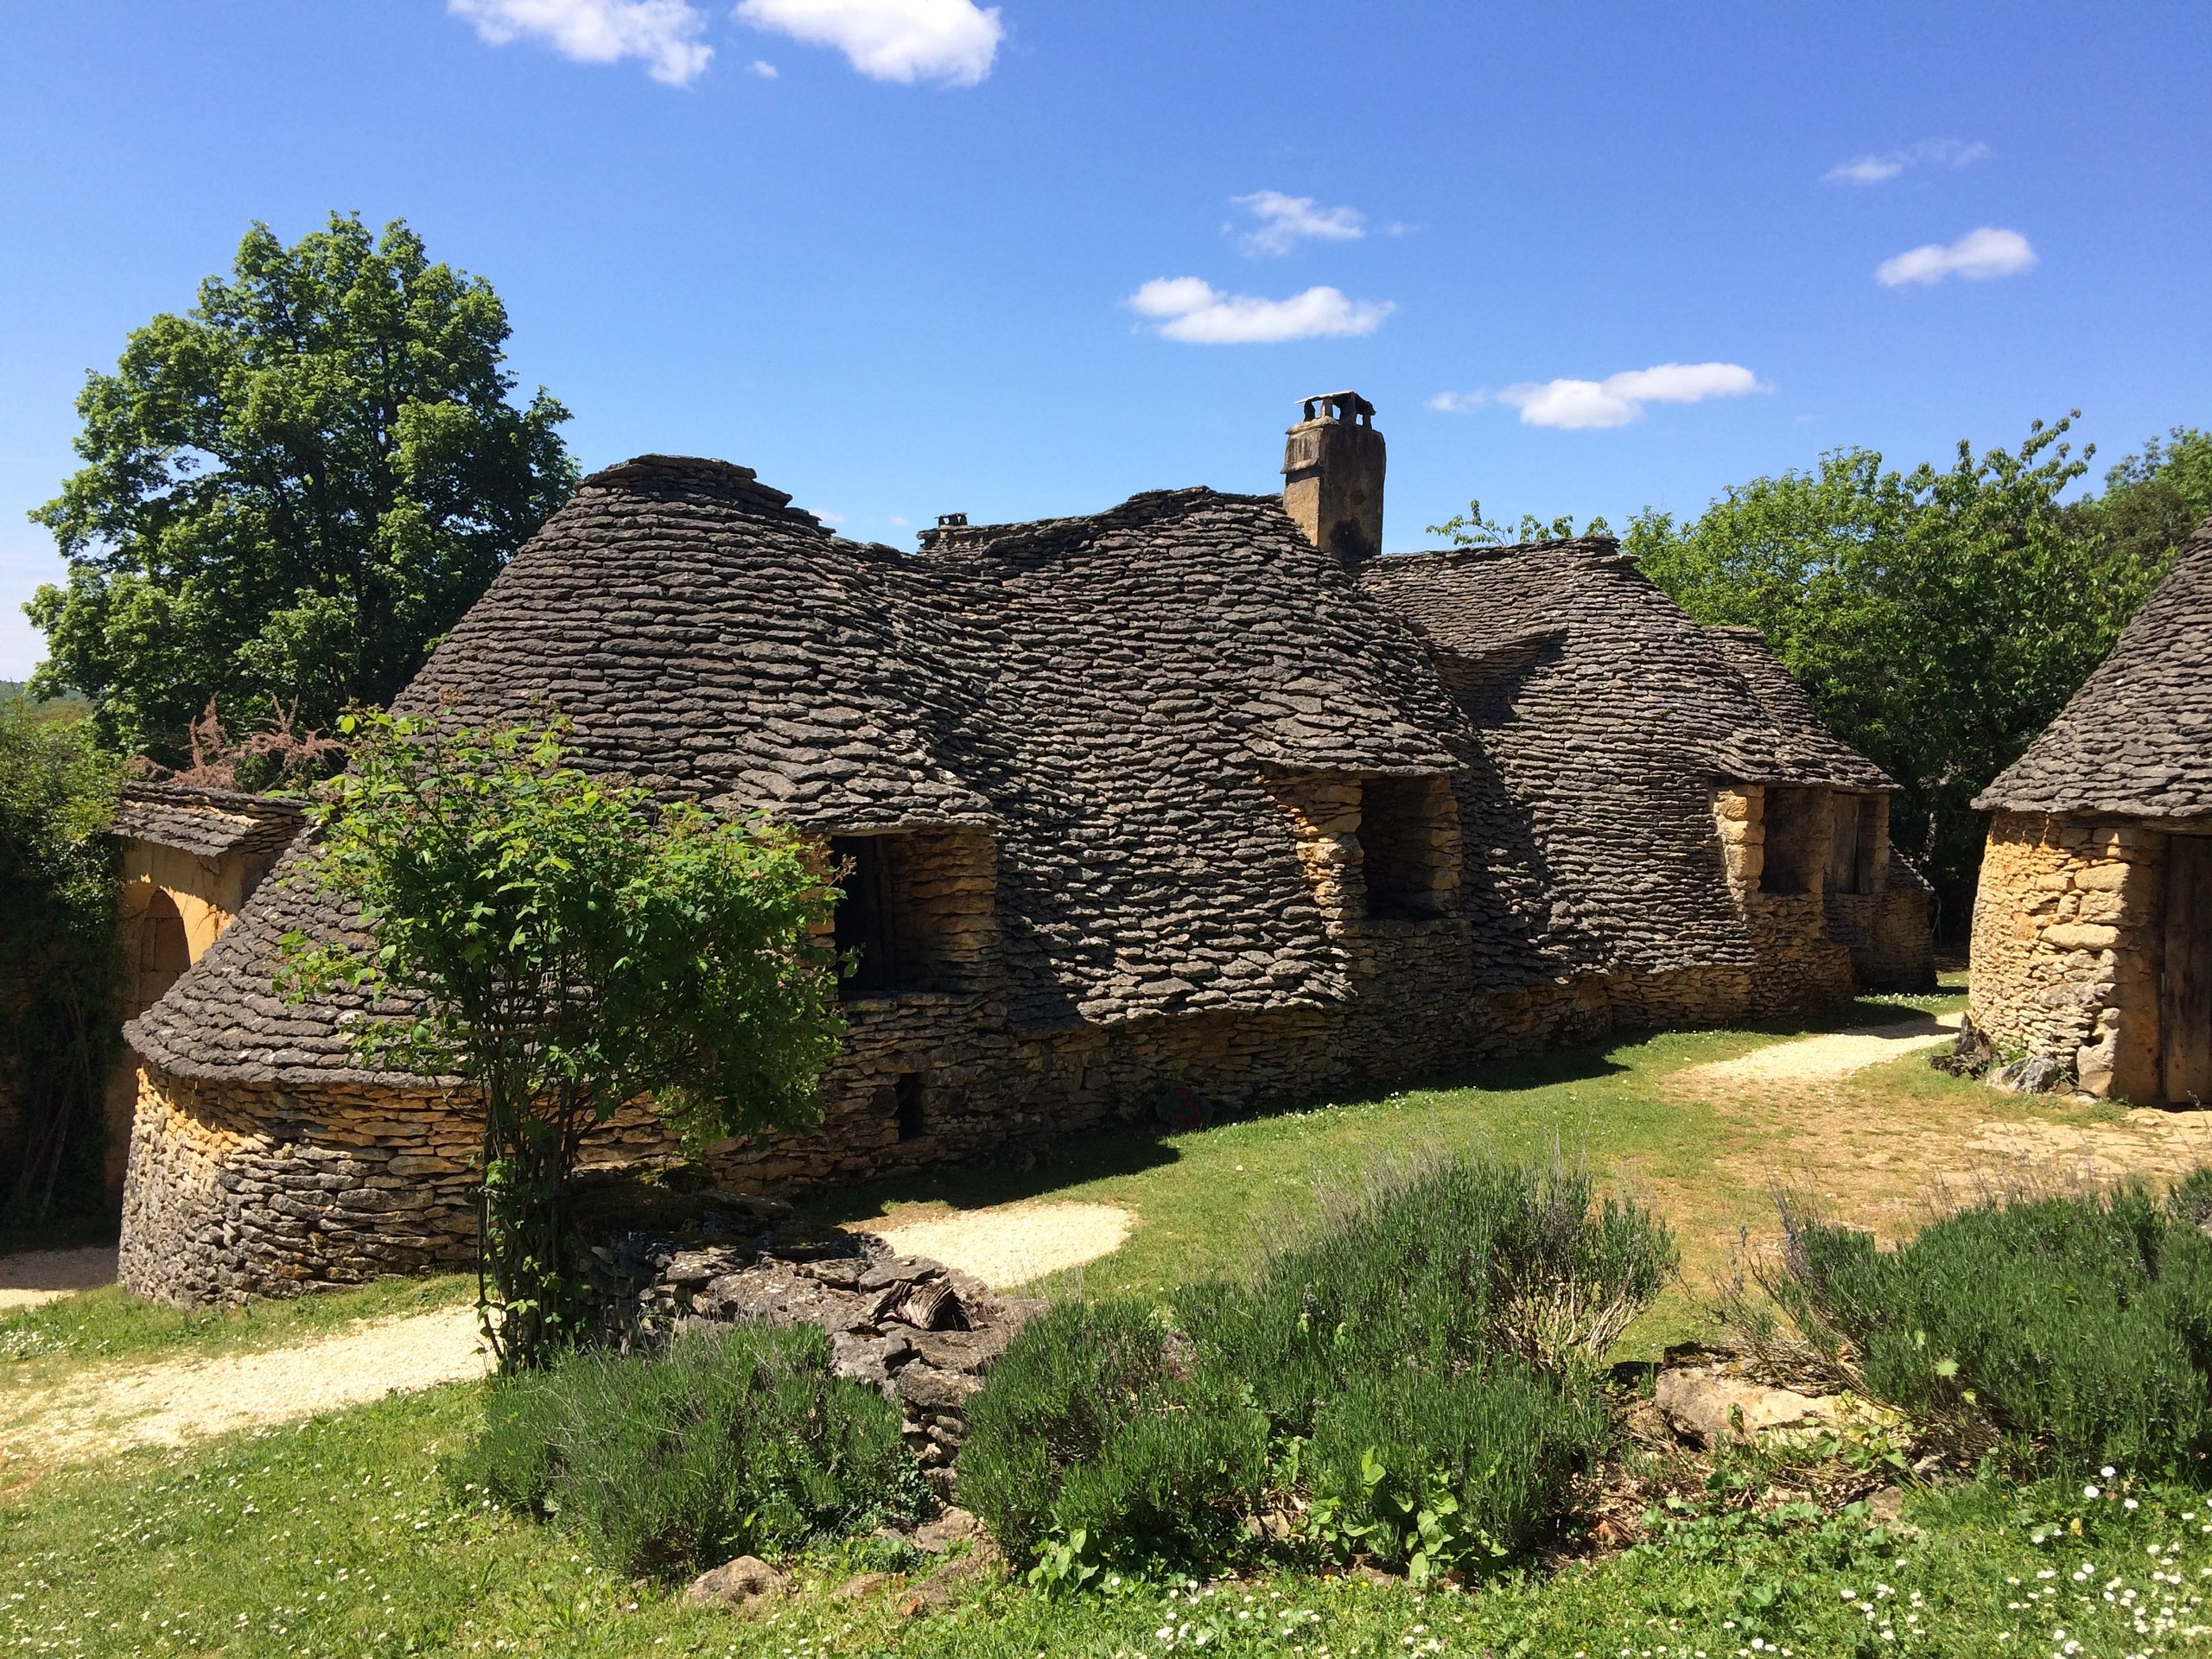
(2072,1331)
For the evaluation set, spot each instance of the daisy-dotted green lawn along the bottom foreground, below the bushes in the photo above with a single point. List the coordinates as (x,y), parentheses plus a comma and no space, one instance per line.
(342,1538)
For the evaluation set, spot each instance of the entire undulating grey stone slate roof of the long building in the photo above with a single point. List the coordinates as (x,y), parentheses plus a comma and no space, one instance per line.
(1109,696)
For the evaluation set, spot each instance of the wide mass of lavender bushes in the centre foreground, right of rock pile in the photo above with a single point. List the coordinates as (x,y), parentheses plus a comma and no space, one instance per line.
(1446,1331)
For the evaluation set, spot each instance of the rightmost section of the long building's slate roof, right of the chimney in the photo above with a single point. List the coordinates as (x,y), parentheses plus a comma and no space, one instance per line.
(1605,720)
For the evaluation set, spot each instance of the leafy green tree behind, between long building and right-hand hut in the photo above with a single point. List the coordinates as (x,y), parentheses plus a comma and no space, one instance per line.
(1939,618)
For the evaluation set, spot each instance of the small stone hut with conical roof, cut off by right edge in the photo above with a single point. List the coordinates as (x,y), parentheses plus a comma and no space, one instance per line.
(2094,919)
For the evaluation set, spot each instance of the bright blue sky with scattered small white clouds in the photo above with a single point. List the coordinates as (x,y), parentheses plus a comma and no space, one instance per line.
(915,255)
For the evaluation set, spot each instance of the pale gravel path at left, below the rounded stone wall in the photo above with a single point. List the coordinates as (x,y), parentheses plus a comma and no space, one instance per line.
(114,1408)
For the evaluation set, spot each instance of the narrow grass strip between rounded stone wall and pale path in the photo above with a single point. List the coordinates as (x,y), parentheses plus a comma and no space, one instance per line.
(109,1324)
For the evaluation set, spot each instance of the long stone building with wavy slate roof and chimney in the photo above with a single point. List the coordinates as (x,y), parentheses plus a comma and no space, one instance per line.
(1196,800)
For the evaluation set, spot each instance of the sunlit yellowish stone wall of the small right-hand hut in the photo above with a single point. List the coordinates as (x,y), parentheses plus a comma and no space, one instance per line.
(2067,948)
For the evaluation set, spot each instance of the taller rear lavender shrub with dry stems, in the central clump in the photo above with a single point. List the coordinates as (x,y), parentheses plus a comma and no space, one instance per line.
(1439,1269)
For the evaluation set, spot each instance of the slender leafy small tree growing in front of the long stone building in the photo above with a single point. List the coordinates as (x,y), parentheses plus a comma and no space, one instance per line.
(567,946)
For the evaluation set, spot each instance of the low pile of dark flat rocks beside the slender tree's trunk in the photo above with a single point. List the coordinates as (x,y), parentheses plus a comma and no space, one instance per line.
(912,1328)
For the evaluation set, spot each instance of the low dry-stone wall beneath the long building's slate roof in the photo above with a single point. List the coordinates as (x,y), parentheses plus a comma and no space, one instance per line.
(267,1191)
